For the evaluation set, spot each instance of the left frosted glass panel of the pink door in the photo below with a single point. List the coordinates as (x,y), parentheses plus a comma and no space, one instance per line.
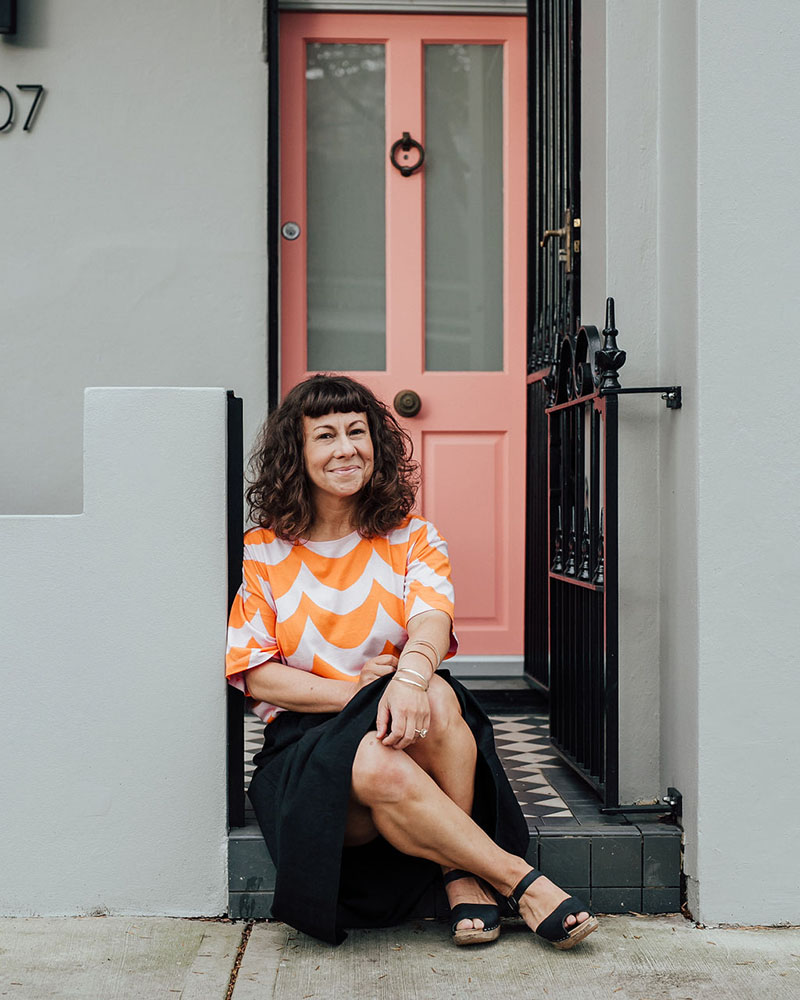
(345,86)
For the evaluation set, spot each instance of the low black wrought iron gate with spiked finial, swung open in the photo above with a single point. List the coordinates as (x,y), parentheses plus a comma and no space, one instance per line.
(582,487)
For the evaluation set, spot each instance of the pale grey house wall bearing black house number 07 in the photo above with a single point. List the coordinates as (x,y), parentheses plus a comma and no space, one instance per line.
(133,216)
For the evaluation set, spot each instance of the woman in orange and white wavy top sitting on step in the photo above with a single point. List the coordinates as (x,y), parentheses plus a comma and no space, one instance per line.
(378,773)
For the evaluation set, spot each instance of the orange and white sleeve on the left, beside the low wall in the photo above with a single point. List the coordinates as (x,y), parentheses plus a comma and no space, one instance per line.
(251,626)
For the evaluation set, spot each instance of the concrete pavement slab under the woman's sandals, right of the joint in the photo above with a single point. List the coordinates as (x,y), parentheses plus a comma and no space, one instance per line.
(629,958)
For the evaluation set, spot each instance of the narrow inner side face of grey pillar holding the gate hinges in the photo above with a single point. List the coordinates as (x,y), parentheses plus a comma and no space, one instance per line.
(678,445)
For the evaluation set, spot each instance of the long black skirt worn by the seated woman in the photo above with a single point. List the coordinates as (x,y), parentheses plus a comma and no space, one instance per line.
(300,792)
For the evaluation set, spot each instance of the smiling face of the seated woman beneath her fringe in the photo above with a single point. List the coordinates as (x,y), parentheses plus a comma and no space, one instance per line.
(338,453)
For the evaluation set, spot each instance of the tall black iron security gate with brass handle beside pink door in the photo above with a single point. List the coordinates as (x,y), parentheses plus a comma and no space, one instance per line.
(553,270)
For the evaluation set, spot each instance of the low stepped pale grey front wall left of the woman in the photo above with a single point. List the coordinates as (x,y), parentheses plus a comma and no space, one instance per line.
(112,697)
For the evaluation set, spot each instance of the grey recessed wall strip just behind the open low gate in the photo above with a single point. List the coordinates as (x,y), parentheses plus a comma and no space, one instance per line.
(619,242)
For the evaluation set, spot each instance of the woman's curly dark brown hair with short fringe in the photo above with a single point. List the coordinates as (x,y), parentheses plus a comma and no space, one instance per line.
(279,497)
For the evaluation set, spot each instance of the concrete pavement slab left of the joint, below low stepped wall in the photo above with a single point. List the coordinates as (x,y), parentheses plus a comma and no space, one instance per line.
(116,958)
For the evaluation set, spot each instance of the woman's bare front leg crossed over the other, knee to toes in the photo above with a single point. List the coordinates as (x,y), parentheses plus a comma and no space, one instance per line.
(415,815)
